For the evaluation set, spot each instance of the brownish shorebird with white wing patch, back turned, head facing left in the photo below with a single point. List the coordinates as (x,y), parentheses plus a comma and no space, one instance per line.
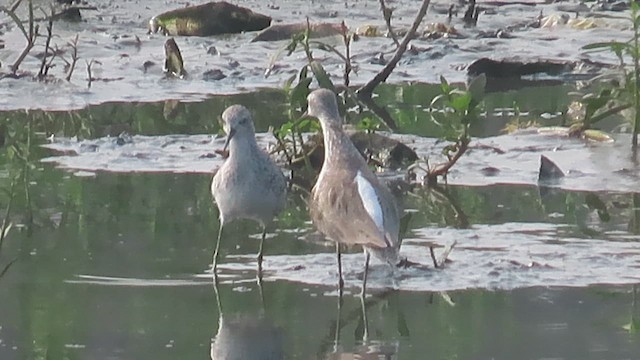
(348,203)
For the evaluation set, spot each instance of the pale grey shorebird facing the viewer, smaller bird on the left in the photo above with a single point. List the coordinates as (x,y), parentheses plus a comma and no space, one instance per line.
(248,185)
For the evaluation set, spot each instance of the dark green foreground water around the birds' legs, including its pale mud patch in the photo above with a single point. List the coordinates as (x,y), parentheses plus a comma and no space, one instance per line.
(115,266)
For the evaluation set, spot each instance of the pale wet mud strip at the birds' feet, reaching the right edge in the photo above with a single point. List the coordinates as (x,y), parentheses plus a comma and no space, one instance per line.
(503,256)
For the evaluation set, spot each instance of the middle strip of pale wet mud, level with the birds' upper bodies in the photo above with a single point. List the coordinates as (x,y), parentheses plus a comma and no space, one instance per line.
(503,159)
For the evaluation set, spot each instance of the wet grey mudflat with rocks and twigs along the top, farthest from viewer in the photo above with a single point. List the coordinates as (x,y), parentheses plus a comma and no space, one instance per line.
(128,62)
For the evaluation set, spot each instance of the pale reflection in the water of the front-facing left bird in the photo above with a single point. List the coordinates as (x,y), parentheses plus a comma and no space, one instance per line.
(246,336)
